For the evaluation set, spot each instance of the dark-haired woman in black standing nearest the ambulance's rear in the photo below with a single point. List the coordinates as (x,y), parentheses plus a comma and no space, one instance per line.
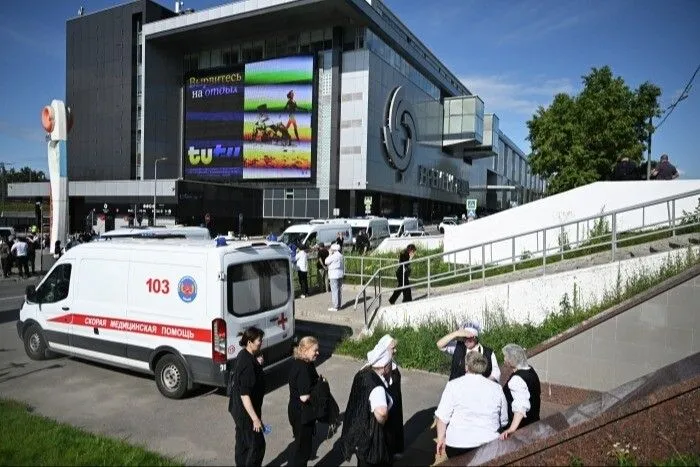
(245,402)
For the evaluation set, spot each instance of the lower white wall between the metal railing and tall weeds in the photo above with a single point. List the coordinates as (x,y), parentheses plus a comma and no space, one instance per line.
(529,300)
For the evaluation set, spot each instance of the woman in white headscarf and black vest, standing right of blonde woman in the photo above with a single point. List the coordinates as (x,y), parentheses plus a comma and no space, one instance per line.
(369,406)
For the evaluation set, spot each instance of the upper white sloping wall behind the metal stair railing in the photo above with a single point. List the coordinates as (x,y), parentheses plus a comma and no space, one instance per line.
(578,203)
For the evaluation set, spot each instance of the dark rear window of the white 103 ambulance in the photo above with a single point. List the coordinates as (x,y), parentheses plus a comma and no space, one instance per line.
(258,286)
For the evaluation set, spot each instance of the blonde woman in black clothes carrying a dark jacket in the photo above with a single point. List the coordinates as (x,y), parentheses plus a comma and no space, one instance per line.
(302,378)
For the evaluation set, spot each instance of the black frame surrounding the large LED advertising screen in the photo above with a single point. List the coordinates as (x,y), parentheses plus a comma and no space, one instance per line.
(278,181)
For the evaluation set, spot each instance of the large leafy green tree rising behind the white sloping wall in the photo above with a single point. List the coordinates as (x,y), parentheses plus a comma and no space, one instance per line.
(578,139)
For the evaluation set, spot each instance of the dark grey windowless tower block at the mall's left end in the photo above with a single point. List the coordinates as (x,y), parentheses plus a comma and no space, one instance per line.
(102,56)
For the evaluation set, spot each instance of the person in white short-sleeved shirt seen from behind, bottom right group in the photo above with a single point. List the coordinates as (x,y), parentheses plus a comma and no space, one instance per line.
(471,412)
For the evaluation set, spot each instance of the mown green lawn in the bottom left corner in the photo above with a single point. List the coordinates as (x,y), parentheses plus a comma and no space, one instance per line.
(30,439)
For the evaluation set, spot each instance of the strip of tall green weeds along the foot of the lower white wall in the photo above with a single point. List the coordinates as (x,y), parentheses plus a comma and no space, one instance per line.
(417,347)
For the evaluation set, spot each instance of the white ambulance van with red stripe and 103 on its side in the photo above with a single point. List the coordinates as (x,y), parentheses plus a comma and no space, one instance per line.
(172,308)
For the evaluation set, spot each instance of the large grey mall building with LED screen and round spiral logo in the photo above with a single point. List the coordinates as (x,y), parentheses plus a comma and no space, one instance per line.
(270,111)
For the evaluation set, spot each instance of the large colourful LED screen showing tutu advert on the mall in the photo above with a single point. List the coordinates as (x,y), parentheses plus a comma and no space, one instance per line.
(250,122)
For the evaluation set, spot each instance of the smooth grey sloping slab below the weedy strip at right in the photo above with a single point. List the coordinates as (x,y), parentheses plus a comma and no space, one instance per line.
(638,341)
